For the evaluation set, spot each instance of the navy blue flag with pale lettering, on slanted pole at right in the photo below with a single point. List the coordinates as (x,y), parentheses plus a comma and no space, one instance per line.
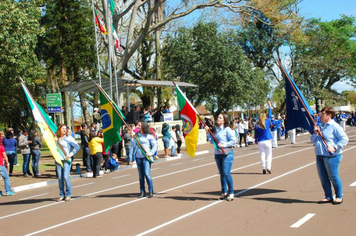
(298,110)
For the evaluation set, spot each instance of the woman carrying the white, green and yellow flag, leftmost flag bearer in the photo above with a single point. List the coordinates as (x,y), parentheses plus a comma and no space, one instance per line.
(70,148)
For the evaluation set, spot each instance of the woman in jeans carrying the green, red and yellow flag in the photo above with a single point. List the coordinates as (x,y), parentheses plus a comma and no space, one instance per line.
(224,155)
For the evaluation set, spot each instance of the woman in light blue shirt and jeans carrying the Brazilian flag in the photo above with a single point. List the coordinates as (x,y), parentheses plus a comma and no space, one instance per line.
(148,145)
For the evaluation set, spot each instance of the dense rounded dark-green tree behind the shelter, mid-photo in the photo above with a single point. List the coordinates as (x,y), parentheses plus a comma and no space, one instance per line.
(214,61)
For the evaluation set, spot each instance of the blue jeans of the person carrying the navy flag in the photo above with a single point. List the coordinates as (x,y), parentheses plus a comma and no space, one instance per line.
(328,171)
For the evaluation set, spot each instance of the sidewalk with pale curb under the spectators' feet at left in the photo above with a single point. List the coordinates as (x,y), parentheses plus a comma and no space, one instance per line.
(48,176)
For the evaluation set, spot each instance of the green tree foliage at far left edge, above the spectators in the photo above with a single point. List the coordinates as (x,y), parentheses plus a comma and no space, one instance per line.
(18,39)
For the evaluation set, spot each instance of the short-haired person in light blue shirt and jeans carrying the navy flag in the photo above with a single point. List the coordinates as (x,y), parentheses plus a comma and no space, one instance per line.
(328,156)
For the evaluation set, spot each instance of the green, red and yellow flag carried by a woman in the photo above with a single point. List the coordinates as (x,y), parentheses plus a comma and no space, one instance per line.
(190,122)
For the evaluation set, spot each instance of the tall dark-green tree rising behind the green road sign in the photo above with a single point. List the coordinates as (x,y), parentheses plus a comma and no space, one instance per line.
(68,46)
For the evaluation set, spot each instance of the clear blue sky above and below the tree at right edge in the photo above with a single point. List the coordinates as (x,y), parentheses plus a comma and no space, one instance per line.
(328,10)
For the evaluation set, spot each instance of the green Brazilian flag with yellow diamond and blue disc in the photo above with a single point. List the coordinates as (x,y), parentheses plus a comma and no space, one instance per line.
(111,120)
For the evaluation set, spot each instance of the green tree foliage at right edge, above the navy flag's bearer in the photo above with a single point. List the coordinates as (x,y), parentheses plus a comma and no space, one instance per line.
(327,56)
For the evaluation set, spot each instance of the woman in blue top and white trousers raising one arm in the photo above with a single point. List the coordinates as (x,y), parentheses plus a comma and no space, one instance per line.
(263,138)
